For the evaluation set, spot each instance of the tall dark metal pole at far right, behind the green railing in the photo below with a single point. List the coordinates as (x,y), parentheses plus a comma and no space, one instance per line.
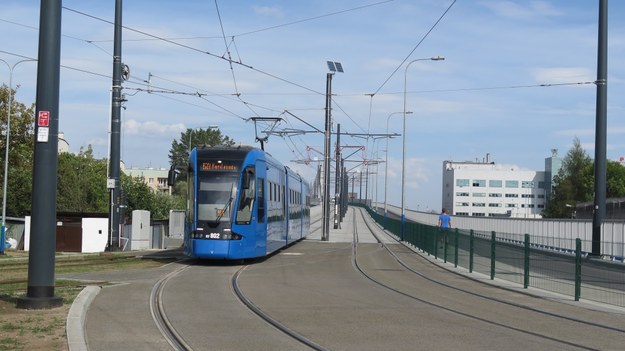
(601,129)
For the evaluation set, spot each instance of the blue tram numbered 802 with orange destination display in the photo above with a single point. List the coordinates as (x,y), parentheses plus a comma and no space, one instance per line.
(242,204)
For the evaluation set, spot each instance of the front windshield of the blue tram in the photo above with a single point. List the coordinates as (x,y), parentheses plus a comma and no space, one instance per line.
(215,196)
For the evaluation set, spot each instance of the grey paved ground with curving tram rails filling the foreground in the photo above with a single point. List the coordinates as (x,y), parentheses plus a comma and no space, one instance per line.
(316,289)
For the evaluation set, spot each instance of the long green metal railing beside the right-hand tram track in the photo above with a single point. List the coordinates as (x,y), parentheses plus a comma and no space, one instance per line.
(517,259)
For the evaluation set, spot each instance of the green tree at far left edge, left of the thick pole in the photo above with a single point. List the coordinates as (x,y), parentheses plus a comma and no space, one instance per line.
(21,141)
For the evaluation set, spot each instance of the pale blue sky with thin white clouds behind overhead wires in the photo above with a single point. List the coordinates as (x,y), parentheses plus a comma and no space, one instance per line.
(515,82)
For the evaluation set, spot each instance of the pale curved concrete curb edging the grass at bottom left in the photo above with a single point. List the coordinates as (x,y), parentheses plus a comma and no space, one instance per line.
(76,318)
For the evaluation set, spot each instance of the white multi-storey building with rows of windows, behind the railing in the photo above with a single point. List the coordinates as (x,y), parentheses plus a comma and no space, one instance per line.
(484,189)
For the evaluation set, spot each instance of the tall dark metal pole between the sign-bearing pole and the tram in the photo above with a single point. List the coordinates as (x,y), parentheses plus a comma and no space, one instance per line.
(114,158)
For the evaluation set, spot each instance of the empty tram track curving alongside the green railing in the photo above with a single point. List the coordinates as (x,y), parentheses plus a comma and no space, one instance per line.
(457,311)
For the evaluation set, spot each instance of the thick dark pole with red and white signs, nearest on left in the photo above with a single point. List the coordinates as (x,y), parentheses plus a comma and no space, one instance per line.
(41,258)
